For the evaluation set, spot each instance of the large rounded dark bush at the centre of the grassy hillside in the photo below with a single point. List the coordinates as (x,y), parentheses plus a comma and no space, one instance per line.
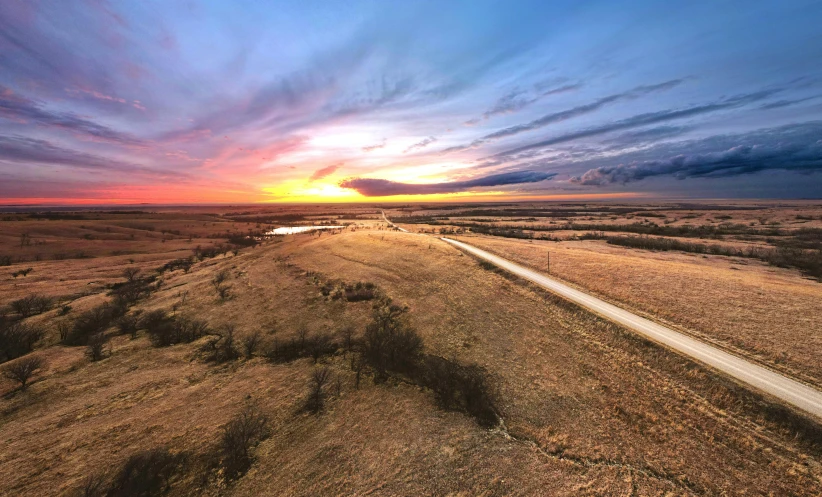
(390,344)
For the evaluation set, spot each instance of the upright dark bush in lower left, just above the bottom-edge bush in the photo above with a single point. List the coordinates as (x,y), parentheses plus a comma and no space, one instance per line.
(239,437)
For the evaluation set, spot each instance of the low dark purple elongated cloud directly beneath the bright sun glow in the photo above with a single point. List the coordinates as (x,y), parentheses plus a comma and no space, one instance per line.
(383,188)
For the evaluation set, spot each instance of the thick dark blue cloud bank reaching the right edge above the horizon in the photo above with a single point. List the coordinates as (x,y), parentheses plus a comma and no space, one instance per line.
(790,148)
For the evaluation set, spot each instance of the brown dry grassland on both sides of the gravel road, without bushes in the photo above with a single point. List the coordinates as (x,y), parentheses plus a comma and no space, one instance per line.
(584,408)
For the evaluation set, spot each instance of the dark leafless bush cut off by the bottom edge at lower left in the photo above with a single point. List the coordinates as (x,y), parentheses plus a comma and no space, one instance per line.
(146,473)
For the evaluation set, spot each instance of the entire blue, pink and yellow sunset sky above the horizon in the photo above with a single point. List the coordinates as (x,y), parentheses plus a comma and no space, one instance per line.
(105,102)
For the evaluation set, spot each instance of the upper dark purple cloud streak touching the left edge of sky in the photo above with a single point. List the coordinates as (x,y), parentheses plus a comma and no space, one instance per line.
(18,108)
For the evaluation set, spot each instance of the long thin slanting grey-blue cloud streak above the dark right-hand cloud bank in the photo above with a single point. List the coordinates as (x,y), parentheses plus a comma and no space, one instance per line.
(644,120)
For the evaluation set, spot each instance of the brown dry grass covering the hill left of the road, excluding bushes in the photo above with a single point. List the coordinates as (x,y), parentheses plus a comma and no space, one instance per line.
(591,410)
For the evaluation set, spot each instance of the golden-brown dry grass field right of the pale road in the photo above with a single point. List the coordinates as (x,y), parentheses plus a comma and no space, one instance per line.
(763,312)
